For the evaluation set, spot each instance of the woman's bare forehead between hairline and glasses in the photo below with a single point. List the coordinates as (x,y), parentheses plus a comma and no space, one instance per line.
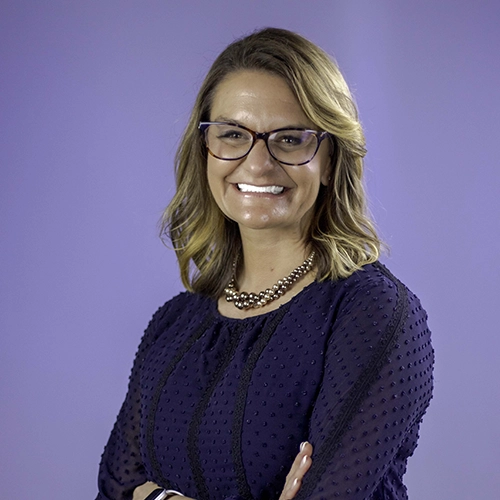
(259,100)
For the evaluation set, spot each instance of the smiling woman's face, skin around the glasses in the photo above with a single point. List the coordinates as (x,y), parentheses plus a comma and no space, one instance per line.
(263,102)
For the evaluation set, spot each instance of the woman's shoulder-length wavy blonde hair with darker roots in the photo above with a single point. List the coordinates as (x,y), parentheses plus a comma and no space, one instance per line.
(341,233)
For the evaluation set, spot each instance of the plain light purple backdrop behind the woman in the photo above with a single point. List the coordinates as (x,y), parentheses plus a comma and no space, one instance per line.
(94,96)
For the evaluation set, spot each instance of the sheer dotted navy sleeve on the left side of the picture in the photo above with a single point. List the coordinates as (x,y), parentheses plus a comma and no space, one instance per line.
(121,469)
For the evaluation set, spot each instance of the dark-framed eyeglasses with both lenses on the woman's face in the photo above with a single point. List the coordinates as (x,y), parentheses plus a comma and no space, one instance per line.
(290,146)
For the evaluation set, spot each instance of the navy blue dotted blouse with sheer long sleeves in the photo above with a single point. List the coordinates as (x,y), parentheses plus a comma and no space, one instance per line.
(217,407)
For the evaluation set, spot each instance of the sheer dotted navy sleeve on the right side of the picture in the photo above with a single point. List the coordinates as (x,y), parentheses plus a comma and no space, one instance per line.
(377,385)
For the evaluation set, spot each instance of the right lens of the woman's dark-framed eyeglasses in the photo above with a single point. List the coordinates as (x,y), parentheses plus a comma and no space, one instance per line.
(293,146)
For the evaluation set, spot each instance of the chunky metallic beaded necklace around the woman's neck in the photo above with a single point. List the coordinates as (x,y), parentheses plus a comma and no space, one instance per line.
(244,300)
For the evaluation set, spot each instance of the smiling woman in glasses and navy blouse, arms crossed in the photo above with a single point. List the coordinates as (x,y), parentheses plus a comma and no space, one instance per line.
(327,349)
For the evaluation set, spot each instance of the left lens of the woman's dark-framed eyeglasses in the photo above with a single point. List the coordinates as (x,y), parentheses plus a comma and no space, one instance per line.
(228,142)
